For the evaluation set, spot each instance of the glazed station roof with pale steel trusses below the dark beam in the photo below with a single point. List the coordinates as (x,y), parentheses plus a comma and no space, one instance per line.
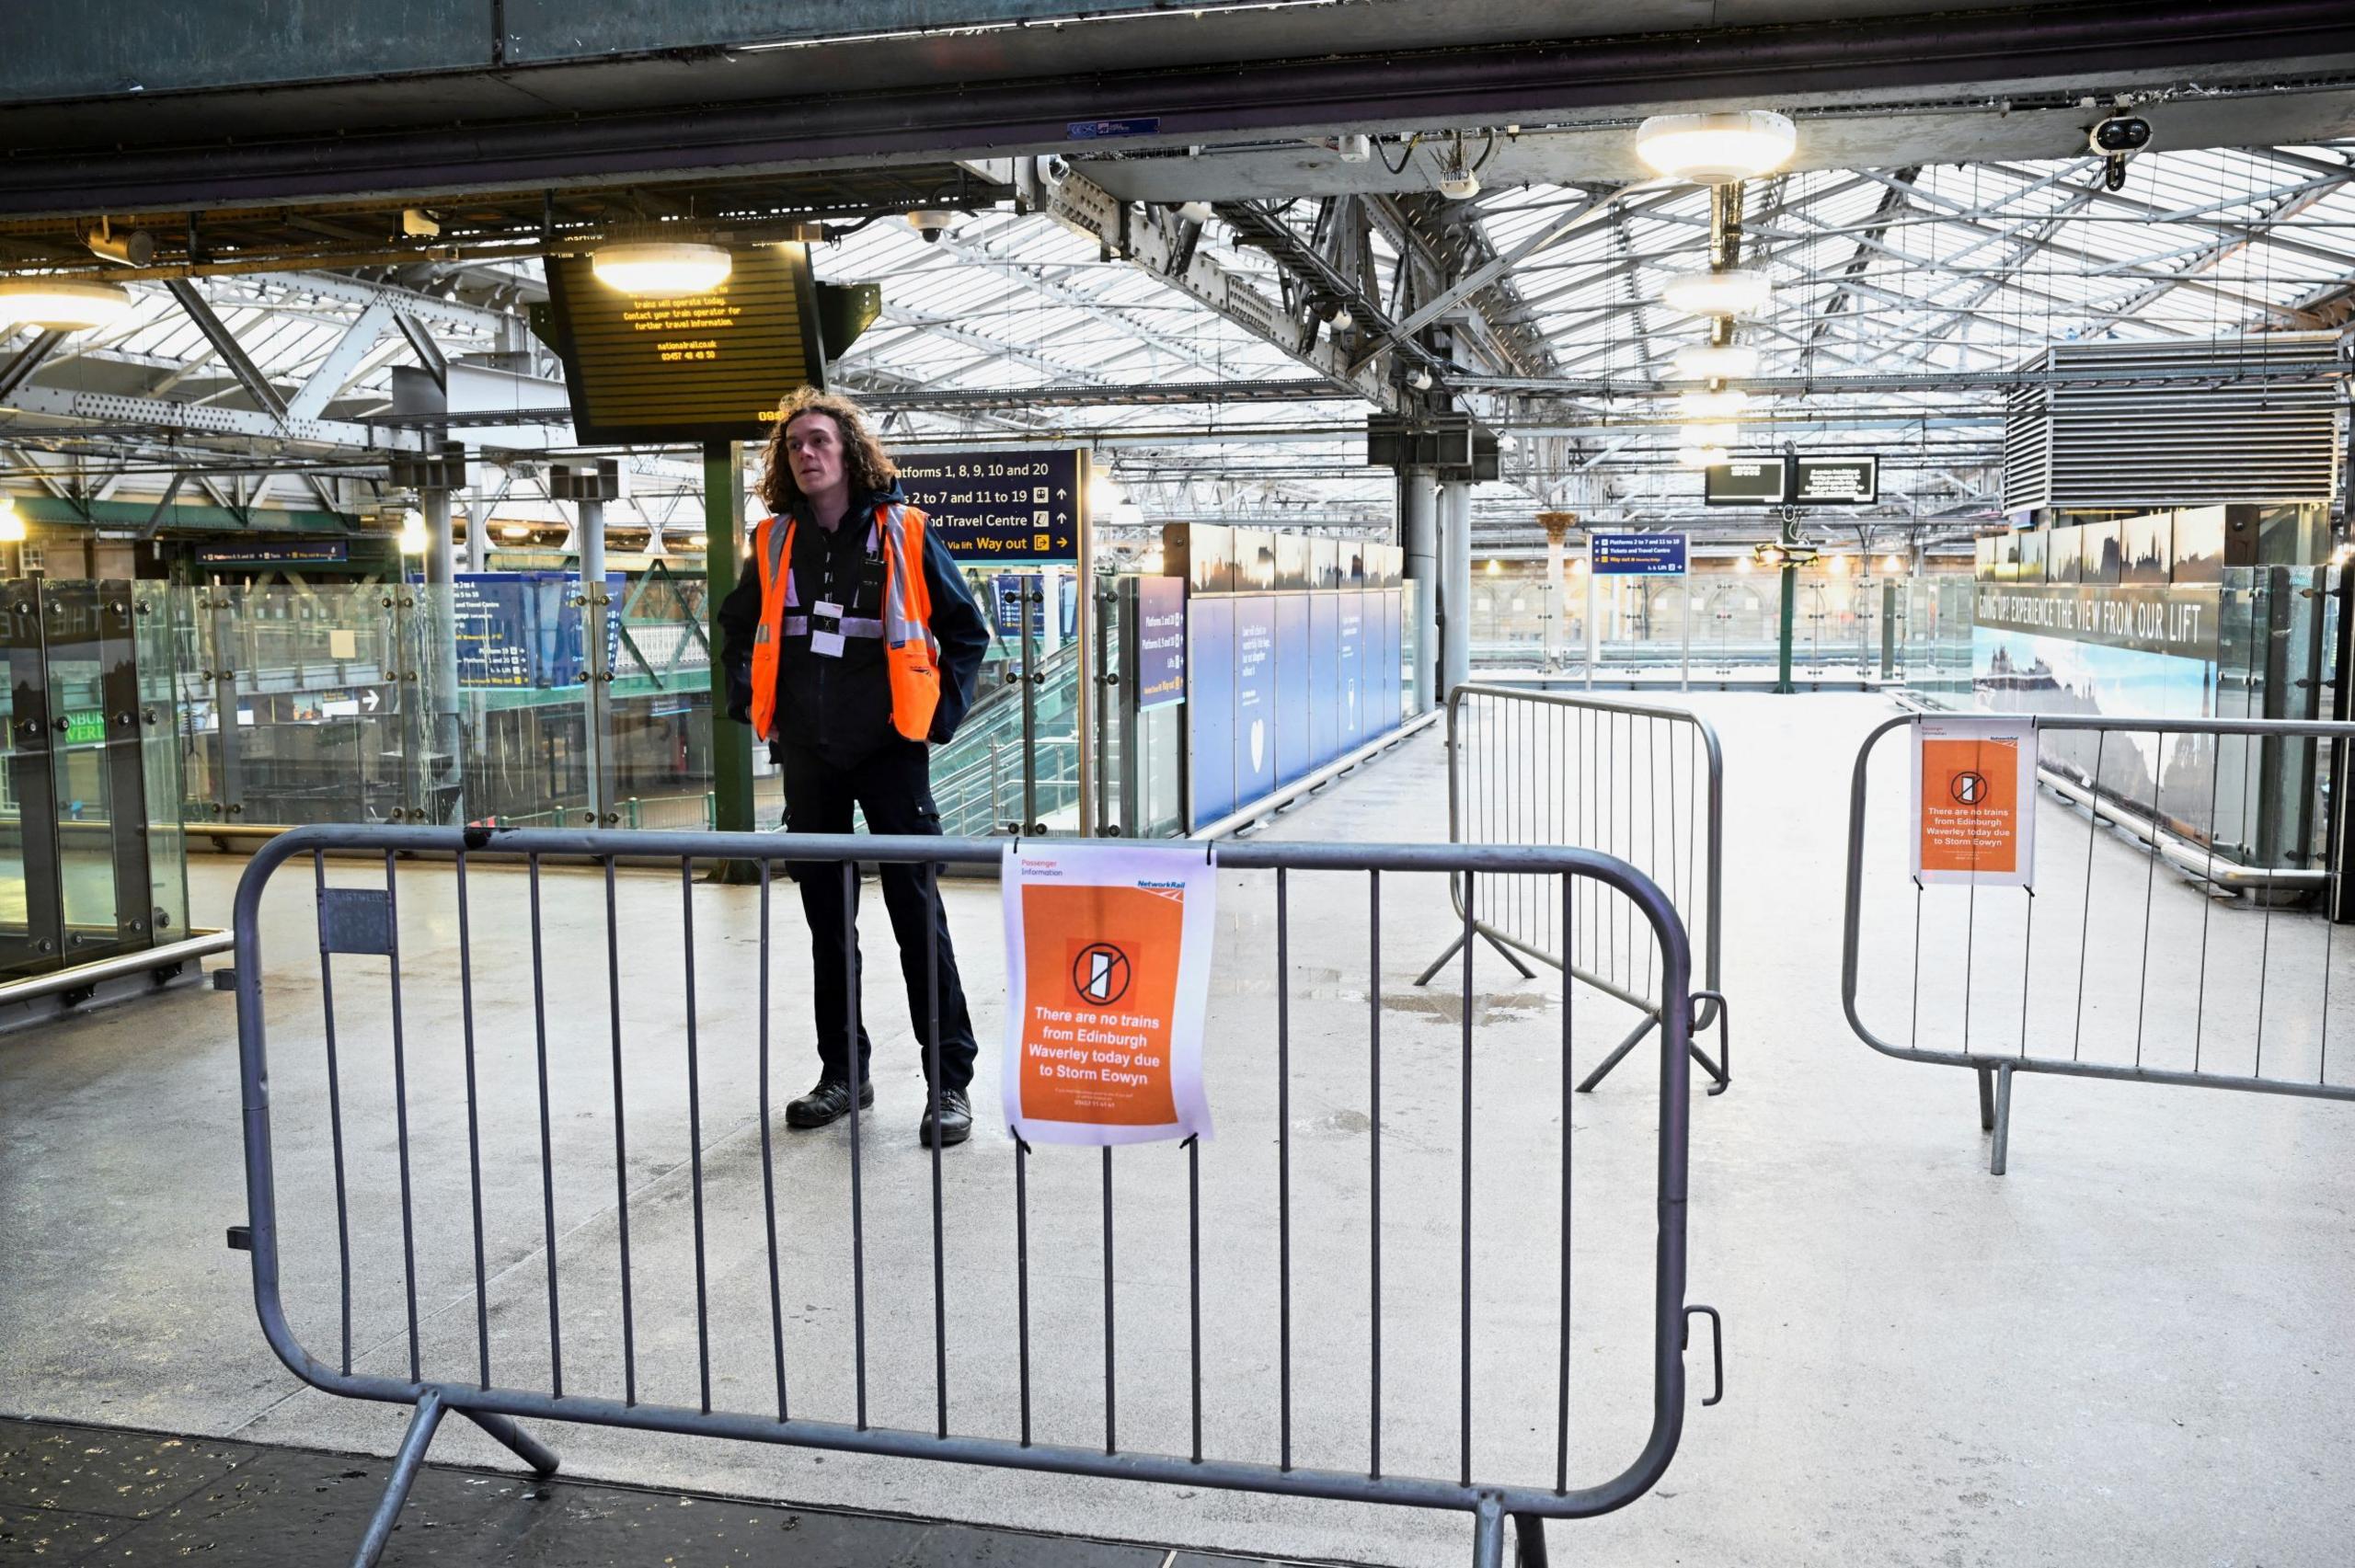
(1909,303)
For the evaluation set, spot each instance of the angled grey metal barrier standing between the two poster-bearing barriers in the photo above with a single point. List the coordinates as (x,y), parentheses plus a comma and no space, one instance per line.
(1640,783)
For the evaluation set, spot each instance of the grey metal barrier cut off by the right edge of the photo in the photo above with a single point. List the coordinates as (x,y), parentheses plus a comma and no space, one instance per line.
(2111,966)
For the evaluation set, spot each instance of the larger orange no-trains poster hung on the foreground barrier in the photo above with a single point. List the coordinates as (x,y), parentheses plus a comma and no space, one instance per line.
(1108,974)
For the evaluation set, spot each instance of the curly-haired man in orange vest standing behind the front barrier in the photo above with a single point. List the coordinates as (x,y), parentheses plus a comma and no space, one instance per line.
(854,649)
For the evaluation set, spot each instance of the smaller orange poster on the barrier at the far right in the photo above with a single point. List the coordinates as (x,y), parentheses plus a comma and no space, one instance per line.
(1975,802)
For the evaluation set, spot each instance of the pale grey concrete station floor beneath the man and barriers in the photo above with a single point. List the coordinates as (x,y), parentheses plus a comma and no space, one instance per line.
(2132,1350)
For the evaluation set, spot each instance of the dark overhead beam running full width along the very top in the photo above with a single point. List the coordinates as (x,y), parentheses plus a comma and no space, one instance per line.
(1280,74)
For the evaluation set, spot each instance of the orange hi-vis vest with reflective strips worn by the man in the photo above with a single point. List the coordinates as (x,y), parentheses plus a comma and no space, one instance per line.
(910,651)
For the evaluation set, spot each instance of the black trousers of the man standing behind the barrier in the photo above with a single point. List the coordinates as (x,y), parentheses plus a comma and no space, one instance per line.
(896,792)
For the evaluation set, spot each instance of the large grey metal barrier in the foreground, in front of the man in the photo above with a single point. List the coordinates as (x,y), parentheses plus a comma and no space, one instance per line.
(573,1371)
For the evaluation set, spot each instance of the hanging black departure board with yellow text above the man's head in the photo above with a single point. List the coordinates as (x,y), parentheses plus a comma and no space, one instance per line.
(698,368)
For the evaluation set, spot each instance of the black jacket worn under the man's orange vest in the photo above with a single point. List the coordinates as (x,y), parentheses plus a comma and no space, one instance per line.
(842,707)
